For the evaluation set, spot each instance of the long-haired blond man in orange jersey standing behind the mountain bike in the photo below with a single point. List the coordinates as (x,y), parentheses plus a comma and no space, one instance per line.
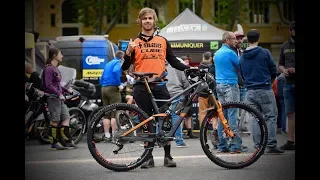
(148,53)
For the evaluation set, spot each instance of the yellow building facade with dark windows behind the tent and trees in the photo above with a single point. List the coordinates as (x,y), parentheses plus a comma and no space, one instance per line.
(52,18)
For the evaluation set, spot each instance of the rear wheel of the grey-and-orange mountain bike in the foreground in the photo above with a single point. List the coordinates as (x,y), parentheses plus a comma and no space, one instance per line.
(115,153)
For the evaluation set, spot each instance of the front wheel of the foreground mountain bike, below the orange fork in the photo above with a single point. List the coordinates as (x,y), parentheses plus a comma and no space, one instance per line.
(222,150)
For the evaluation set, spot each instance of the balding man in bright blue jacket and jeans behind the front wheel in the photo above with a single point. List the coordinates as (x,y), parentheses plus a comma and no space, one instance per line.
(226,65)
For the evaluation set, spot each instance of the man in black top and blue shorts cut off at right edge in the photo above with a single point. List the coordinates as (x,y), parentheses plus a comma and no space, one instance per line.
(287,67)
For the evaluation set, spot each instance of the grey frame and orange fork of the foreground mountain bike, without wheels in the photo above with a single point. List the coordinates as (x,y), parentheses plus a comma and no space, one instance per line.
(198,86)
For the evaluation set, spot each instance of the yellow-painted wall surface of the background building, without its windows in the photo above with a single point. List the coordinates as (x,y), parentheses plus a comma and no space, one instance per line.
(273,33)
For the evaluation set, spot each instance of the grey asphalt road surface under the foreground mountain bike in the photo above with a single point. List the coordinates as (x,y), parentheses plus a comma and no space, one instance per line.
(41,163)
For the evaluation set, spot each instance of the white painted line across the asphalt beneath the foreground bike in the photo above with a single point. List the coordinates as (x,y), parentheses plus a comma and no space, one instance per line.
(64,161)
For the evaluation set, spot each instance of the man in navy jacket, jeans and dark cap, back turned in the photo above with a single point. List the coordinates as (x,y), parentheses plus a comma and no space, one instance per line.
(259,71)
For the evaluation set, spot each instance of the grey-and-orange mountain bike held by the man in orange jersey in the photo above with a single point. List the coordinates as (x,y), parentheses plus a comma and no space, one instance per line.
(124,140)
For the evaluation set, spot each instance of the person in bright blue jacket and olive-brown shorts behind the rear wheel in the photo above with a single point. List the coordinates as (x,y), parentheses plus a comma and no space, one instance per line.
(110,92)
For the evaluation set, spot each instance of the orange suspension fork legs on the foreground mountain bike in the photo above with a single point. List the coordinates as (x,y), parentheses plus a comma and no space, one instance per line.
(223,120)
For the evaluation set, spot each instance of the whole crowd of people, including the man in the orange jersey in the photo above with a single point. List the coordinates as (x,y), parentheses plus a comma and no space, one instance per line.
(249,75)
